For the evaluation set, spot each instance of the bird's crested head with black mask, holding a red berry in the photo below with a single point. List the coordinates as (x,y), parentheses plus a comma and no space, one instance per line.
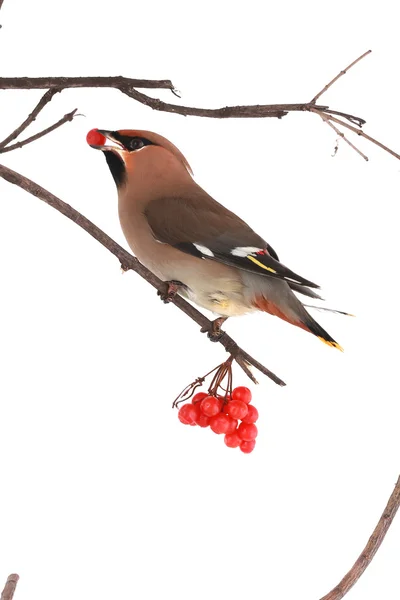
(138,154)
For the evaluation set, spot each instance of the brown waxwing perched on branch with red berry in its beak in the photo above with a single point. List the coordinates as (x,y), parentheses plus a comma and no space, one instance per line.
(201,249)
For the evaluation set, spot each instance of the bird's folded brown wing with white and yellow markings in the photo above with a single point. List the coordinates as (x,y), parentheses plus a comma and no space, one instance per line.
(200,226)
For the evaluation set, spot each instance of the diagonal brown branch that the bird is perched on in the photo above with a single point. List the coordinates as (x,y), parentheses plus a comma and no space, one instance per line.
(130,262)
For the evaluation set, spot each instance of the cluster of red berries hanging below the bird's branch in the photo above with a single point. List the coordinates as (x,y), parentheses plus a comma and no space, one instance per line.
(223,416)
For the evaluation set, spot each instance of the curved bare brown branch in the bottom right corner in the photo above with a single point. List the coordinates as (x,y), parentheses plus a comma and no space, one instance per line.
(370,549)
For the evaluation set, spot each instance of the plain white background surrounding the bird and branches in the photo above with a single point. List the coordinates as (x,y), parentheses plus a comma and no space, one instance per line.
(104,494)
